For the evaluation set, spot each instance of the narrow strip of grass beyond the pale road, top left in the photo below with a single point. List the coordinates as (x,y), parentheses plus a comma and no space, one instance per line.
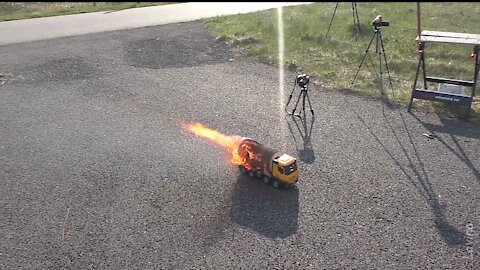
(27,10)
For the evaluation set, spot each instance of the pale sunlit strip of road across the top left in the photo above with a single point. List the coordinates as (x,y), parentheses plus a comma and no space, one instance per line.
(79,24)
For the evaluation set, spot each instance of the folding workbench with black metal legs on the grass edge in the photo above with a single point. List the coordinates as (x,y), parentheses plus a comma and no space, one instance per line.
(447,98)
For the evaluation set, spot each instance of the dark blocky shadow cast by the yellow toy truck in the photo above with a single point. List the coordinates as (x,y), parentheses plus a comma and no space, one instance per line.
(264,209)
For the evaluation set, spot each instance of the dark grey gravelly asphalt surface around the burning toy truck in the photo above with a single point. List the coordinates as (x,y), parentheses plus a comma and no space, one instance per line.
(95,171)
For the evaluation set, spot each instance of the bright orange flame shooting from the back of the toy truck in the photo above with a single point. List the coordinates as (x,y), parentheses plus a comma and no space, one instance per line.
(230,143)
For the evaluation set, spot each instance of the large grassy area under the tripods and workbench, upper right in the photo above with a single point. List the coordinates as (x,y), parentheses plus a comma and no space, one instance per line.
(335,59)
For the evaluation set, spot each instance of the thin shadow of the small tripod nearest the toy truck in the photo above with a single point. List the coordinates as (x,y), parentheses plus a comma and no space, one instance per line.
(304,127)
